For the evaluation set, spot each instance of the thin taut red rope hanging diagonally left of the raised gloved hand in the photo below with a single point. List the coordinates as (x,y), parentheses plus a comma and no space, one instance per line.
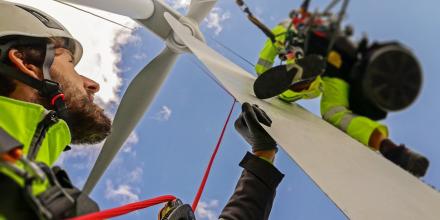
(208,168)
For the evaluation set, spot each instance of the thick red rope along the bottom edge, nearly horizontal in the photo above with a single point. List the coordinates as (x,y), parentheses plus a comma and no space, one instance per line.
(109,213)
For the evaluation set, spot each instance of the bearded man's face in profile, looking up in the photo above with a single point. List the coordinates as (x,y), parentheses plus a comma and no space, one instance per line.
(87,122)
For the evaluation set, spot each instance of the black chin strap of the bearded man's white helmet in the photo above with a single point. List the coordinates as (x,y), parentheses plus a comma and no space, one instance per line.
(47,88)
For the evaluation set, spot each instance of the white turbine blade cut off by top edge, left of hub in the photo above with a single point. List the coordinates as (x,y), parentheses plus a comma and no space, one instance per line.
(136,9)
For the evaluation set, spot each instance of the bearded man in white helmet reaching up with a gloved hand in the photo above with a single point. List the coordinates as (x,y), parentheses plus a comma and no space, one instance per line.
(45,106)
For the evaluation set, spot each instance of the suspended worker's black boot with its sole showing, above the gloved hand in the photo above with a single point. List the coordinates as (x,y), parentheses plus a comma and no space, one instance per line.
(278,79)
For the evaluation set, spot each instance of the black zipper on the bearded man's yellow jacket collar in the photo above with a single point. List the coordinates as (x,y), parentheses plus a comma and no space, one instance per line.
(40,133)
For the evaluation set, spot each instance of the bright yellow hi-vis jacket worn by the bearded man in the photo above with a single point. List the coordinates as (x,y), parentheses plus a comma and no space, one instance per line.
(20,120)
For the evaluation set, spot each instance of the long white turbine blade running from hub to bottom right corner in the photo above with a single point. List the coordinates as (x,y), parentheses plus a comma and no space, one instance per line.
(360,182)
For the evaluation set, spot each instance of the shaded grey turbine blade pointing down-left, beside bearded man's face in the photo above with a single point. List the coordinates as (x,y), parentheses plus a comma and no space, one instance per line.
(140,93)
